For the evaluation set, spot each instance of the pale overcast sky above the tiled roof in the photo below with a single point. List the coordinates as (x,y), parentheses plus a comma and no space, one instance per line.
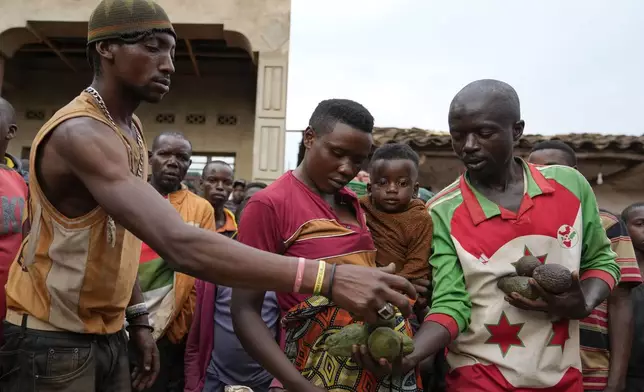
(576,64)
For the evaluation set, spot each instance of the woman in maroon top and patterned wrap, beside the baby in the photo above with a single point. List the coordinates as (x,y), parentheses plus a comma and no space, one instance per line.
(308,212)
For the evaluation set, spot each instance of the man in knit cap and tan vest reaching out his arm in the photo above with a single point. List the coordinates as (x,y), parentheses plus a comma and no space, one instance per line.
(74,280)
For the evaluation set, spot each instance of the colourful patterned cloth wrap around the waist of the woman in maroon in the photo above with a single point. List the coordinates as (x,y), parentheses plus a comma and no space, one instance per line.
(307,327)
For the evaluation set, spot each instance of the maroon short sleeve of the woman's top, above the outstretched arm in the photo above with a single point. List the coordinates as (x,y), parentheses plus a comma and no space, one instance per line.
(259,227)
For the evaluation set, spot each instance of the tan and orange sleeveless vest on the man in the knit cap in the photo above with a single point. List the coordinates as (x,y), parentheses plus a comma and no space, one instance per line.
(75,274)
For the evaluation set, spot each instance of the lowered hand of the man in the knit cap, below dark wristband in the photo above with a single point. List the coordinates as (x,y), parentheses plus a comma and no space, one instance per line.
(147,356)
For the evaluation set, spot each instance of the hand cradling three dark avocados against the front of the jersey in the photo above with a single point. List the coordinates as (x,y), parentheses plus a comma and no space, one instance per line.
(570,305)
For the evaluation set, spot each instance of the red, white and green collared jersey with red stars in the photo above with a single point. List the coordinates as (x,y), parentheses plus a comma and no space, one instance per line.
(501,347)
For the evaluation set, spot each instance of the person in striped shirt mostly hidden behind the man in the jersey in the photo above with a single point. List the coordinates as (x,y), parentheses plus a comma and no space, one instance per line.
(606,334)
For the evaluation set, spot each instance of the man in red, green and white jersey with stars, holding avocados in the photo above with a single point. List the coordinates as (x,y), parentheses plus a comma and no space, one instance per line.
(501,209)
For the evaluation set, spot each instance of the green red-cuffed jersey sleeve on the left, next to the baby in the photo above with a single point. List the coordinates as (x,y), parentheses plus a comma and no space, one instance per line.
(451,306)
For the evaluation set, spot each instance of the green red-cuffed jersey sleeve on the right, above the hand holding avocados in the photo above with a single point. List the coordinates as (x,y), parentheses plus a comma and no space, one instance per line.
(597,258)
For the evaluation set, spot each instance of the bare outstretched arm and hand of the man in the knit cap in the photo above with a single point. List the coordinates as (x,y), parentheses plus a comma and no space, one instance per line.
(94,154)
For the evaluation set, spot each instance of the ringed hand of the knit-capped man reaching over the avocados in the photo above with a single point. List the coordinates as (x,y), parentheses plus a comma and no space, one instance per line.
(364,291)
